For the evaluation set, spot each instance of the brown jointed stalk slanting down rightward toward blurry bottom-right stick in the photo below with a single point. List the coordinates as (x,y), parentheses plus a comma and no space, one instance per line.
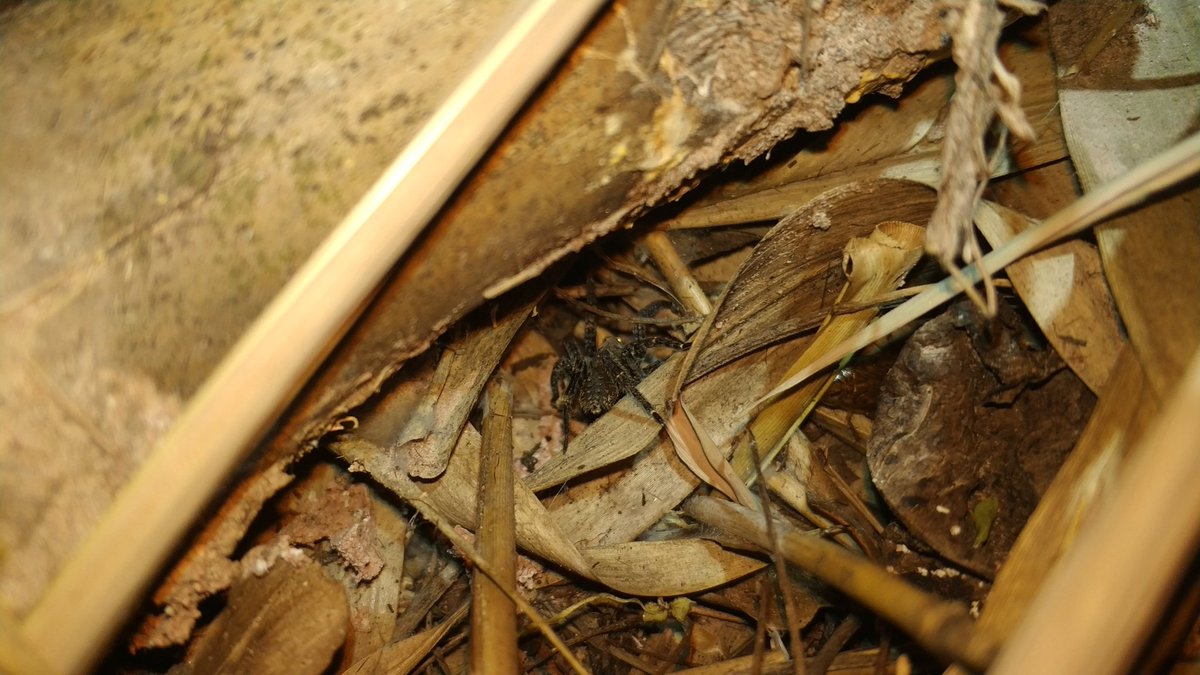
(944,629)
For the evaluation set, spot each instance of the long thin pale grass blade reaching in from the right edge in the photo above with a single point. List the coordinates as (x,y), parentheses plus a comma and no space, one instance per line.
(1163,171)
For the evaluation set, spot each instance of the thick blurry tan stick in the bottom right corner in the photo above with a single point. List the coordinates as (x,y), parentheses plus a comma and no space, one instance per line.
(1101,602)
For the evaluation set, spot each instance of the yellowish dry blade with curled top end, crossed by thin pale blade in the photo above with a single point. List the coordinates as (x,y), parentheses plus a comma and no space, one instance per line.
(874,266)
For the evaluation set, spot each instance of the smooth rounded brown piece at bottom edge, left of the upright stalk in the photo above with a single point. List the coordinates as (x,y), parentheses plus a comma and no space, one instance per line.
(291,622)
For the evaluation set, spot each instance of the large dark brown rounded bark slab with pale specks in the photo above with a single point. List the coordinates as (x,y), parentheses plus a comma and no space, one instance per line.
(971,428)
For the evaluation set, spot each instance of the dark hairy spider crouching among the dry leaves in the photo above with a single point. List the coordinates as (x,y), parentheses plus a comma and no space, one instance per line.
(587,381)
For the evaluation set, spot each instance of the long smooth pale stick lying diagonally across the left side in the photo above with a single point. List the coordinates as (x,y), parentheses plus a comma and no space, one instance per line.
(106,576)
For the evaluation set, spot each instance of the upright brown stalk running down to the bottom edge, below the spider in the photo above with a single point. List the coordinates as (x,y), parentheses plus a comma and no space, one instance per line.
(494,622)
